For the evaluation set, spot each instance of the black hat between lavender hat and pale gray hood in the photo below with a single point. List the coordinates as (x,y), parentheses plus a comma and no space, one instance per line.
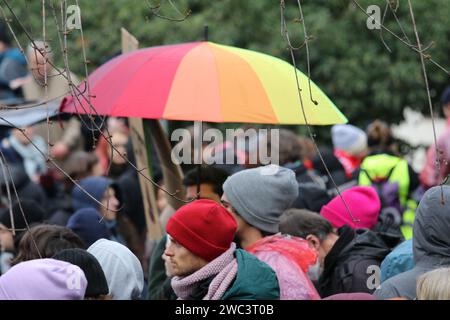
(95,276)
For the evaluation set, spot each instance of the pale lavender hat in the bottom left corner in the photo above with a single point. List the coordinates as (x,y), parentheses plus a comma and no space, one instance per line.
(43,279)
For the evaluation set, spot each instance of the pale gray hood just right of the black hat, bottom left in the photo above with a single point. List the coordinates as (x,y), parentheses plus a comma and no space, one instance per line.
(122,269)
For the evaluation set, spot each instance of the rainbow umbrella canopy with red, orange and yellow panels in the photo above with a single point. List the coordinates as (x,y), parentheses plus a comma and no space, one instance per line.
(204,81)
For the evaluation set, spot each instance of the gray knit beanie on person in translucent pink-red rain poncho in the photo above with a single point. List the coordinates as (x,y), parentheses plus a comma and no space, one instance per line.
(260,198)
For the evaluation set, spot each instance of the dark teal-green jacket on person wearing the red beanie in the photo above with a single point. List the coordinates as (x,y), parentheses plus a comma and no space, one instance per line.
(255,280)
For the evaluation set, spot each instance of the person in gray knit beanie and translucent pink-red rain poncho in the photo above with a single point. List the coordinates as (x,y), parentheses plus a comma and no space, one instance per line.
(257,198)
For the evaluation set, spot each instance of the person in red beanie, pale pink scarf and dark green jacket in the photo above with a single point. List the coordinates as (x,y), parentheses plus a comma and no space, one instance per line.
(205,262)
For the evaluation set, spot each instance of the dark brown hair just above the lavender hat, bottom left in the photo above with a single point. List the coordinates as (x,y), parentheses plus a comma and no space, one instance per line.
(47,240)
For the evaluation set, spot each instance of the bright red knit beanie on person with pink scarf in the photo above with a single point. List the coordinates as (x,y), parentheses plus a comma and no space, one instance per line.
(203,227)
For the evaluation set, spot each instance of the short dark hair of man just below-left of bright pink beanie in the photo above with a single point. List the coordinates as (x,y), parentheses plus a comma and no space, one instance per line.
(302,222)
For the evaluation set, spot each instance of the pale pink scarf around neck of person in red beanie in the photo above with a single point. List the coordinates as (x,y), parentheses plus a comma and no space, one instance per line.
(224,267)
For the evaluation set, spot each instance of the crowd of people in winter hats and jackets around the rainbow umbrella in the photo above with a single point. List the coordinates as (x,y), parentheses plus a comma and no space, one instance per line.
(353,222)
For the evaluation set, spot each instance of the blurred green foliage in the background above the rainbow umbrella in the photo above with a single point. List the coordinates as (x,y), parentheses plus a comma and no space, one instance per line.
(348,61)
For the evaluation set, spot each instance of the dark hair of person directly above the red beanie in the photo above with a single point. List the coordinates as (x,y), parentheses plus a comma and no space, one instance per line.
(211,175)
